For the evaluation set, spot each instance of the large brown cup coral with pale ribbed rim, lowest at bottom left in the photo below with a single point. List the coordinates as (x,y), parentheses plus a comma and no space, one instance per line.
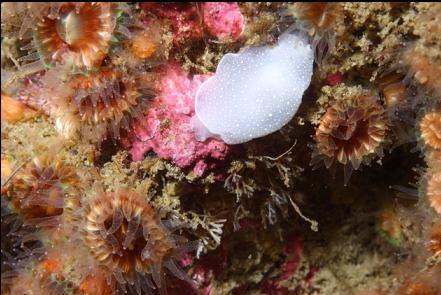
(125,235)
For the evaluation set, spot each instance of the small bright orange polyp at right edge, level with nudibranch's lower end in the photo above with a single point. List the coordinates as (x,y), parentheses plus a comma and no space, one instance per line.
(430,128)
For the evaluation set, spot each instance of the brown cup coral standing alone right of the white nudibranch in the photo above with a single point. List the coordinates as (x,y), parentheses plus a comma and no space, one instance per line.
(351,130)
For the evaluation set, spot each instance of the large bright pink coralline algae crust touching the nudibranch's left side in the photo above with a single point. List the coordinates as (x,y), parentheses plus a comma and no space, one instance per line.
(166,129)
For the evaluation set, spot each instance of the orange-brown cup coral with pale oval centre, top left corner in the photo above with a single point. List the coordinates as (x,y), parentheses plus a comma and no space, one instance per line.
(79,34)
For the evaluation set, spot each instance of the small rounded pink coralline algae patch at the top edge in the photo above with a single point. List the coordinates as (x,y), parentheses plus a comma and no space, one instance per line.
(223,19)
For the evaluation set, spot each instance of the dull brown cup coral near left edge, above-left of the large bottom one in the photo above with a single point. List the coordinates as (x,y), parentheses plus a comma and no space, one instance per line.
(43,188)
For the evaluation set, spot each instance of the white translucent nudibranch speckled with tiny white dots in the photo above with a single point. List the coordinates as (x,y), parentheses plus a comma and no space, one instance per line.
(255,92)
